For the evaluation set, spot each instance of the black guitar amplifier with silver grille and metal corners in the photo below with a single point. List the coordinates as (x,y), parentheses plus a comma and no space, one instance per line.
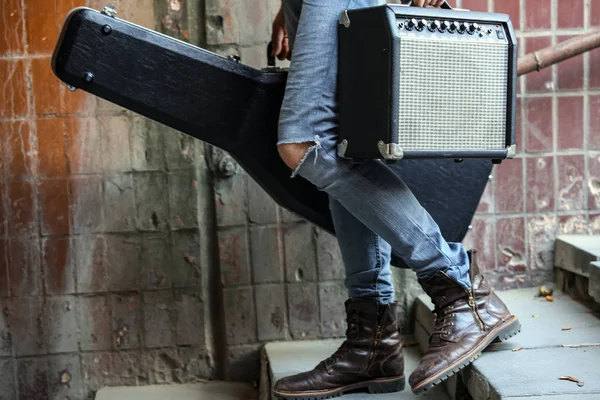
(426,83)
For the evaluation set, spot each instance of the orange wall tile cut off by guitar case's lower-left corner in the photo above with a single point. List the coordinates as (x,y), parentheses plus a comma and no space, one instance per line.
(46,87)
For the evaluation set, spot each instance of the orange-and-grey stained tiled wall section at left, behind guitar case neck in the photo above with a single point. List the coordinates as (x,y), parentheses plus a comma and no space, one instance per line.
(103,280)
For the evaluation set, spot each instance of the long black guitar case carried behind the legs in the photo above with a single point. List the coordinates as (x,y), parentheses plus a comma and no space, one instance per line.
(234,107)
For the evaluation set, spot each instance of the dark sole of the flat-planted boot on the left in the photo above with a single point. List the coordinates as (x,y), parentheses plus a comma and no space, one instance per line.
(384,385)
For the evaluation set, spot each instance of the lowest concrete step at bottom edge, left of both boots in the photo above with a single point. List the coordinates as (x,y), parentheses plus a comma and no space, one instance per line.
(196,391)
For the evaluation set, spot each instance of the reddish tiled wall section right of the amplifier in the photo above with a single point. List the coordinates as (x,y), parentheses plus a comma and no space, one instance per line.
(552,187)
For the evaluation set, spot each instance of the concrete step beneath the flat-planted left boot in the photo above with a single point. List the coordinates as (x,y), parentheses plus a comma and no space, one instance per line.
(288,358)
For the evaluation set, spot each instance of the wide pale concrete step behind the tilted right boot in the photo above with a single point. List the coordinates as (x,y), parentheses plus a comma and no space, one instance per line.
(558,338)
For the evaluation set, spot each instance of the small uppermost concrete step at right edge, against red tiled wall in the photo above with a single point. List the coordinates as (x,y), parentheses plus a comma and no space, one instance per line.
(574,256)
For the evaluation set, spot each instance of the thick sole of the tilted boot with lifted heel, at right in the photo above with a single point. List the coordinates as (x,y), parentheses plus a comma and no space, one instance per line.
(500,334)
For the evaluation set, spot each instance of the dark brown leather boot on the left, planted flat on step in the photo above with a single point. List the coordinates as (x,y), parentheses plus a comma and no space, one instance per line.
(371,358)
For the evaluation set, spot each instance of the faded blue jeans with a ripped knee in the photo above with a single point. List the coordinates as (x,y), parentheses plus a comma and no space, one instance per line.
(373,210)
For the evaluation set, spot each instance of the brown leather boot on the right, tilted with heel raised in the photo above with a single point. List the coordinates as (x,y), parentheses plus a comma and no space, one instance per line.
(466,323)
